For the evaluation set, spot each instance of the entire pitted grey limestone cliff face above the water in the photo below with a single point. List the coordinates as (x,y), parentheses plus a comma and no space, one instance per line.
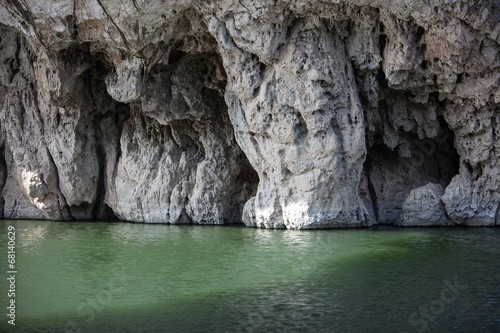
(297,114)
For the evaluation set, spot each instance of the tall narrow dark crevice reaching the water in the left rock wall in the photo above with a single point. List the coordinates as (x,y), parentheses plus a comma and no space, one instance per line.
(105,118)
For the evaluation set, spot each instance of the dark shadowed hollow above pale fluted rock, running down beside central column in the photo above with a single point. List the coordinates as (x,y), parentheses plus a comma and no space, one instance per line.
(208,117)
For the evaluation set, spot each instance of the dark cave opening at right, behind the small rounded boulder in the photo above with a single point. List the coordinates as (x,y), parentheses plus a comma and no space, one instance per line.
(390,174)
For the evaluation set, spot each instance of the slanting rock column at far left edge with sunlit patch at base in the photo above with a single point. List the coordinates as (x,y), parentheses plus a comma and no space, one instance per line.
(31,175)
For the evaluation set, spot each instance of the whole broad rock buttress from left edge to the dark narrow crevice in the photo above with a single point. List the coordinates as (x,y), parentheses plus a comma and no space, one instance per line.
(47,114)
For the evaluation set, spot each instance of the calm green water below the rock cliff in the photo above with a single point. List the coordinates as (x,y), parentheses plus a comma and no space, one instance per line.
(122,277)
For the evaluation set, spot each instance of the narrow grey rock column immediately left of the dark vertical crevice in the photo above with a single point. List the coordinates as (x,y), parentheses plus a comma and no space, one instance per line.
(67,107)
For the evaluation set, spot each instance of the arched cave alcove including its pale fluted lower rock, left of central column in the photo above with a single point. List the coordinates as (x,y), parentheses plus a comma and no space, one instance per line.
(178,133)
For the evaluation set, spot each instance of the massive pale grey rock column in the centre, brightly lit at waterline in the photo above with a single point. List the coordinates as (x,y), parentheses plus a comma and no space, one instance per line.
(300,122)
